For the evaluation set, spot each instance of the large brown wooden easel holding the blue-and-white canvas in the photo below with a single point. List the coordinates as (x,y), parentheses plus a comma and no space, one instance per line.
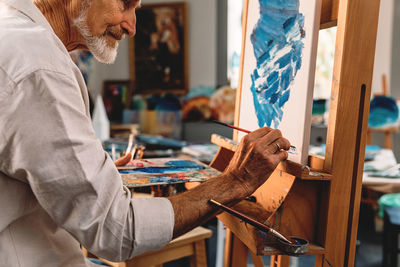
(320,203)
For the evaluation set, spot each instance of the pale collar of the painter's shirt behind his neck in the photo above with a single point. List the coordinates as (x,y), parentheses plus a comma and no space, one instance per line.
(30,10)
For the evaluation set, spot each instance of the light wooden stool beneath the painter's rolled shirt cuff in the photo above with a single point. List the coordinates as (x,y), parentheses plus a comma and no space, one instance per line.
(191,244)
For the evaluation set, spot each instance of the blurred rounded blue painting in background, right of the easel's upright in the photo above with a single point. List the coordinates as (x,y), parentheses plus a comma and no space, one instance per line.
(383,112)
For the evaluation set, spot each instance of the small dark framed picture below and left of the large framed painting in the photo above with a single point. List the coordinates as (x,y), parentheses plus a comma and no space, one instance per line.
(116,97)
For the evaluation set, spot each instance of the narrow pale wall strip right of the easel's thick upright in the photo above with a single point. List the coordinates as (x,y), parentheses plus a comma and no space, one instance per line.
(383,51)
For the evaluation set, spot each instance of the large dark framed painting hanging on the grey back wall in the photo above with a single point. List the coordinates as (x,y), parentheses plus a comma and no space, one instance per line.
(159,50)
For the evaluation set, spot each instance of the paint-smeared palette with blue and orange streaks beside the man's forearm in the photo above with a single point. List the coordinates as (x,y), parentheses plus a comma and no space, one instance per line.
(159,171)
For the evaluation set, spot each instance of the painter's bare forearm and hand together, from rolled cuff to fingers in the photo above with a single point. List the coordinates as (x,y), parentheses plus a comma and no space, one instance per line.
(258,155)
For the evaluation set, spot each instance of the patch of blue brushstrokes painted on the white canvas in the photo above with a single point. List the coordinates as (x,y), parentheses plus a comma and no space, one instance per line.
(277,40)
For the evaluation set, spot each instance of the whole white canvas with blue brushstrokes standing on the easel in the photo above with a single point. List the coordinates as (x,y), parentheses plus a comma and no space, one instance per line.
(277,69)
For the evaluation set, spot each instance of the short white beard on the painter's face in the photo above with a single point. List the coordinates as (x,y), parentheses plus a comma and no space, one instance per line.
(97,45)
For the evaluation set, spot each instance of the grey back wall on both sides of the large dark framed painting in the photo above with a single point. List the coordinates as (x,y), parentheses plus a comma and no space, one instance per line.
(202,20)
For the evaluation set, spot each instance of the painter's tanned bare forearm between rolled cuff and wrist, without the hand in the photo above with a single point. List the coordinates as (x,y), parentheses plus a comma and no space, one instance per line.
(192,208)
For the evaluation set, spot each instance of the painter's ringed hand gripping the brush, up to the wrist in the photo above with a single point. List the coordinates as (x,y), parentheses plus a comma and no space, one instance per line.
(257,157)
